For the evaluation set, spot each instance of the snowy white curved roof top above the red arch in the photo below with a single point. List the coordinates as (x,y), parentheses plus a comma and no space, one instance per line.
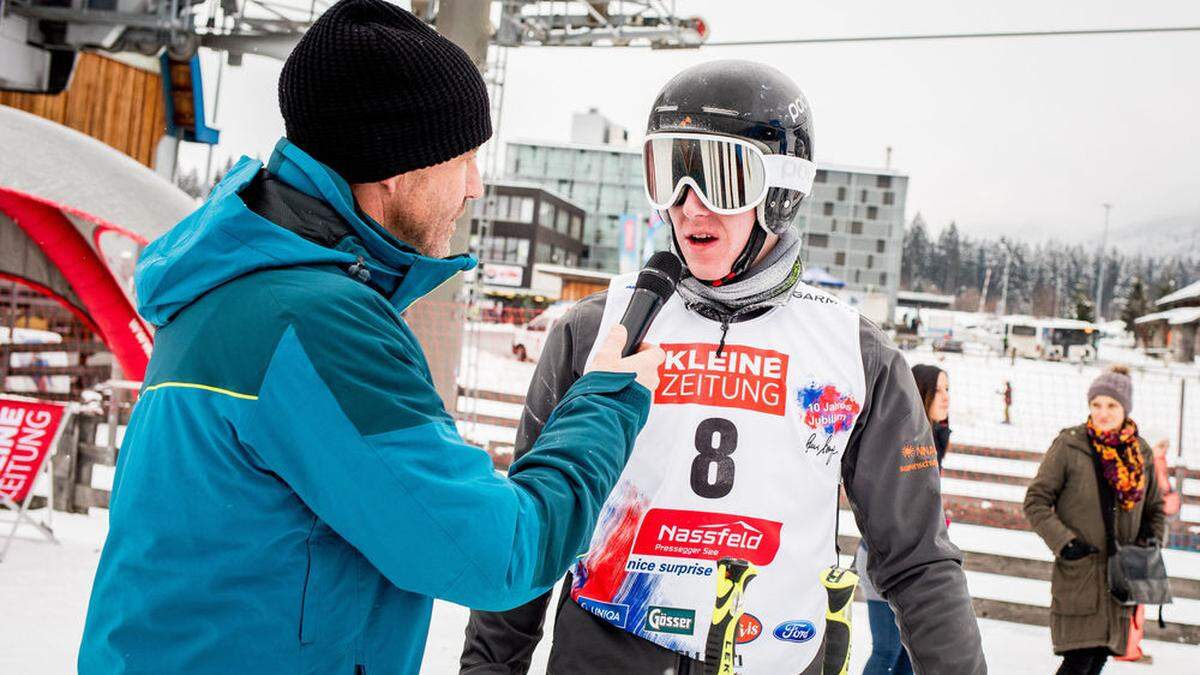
(85,176)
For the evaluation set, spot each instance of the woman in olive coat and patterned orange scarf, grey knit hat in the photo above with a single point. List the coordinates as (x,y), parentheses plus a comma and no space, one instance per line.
(1064,507)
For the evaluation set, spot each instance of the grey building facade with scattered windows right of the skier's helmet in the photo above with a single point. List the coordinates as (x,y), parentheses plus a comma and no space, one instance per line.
(854,228)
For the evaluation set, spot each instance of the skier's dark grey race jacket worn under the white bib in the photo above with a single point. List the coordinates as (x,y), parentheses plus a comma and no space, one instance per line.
(916,568)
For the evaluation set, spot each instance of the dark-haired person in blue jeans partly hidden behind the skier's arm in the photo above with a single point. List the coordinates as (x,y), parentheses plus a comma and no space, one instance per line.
(889,654)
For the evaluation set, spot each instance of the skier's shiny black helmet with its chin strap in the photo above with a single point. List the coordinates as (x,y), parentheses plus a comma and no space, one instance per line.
(749,101)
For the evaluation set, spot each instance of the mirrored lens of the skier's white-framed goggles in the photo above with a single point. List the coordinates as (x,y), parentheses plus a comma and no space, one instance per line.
(728,175)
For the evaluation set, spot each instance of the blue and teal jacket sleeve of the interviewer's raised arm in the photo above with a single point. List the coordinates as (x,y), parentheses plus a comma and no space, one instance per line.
(349,419)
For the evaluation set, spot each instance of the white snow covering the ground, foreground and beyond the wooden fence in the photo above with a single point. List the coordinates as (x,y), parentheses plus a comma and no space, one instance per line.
(50,584)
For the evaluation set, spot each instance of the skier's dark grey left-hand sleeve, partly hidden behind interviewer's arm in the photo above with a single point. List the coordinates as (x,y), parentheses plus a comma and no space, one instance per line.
(502,643)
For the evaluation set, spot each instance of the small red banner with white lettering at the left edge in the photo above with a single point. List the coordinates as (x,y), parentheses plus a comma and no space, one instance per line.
(27,433)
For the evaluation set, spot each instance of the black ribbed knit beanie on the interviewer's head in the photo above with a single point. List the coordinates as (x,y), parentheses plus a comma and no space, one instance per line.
(373,92)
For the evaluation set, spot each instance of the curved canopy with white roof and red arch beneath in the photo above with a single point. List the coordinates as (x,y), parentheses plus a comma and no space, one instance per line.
(74,214)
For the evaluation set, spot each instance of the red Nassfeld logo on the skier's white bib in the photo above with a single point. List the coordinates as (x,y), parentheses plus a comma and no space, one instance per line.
(707,536)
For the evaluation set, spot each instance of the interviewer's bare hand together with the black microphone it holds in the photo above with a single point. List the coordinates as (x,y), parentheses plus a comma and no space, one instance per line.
(623,350)
